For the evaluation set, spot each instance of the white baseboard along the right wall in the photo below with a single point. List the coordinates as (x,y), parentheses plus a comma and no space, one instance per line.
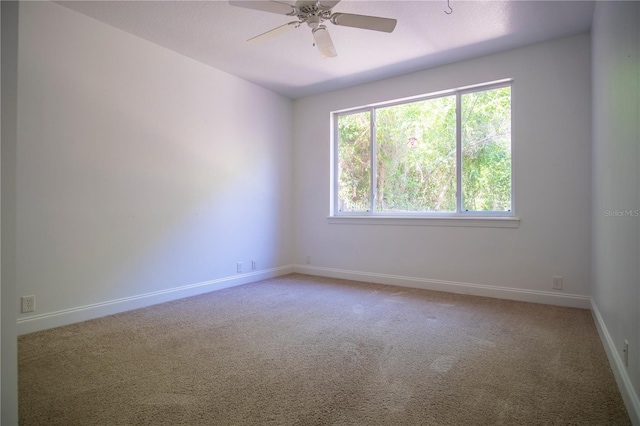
(629,395)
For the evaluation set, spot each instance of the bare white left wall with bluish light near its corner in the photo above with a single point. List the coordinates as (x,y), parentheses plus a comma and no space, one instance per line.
(139,170)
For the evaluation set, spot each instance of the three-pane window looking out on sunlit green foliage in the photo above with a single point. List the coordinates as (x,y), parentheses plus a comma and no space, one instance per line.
(441,155)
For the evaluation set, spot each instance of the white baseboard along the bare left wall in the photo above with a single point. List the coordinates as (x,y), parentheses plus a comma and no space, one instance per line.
(83,313)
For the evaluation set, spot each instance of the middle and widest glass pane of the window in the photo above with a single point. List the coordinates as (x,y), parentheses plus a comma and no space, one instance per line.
(416,156)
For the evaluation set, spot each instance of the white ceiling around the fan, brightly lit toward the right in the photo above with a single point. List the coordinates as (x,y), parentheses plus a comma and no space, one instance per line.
(215,33)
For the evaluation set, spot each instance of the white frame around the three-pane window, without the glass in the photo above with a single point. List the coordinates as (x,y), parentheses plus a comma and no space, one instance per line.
(456,218)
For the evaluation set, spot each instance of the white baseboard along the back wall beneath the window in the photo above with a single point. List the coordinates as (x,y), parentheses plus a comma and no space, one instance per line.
(534,296)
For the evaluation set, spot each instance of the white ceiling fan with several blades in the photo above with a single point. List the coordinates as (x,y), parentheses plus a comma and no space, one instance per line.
(314,13)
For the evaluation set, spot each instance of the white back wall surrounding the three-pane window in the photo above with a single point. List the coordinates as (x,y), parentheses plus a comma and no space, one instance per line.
(551,160)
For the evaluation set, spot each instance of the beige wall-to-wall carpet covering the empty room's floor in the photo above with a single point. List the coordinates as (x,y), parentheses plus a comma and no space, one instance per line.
(301,350)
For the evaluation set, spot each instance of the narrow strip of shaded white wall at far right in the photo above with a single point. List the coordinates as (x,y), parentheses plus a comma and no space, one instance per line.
(616,187)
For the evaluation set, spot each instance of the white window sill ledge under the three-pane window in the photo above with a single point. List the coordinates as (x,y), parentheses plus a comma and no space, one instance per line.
(480,222)
